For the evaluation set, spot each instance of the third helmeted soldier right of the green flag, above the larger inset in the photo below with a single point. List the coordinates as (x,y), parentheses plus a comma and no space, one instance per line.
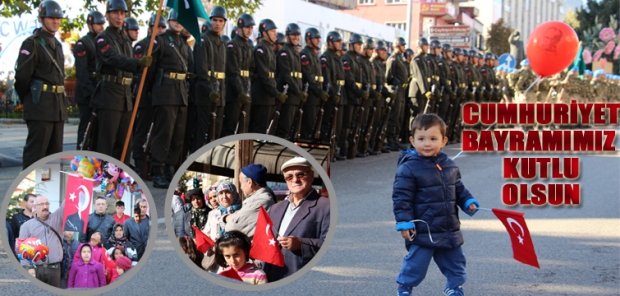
(264,91)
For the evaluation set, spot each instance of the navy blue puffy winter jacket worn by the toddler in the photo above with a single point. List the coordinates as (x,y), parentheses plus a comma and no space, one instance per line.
(429,189)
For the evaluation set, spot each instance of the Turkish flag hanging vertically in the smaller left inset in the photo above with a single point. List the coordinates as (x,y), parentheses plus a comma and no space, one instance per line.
(78,196)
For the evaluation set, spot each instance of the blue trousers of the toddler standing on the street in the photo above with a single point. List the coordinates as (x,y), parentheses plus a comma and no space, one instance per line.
(451,262)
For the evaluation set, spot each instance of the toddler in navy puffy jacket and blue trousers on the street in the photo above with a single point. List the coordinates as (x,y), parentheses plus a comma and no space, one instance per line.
(427,191)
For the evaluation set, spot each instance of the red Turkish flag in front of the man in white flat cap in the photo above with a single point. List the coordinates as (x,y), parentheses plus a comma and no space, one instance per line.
(265,247)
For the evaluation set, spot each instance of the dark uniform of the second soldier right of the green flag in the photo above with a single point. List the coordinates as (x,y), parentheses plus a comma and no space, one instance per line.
(239,66)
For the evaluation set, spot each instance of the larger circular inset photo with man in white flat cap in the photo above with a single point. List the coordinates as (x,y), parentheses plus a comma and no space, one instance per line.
(252,211)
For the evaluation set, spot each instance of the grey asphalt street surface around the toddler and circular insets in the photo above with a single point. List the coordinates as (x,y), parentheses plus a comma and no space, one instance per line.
(578,247)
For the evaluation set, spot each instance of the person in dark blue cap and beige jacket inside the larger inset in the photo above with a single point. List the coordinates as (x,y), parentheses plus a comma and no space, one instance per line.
(254,186)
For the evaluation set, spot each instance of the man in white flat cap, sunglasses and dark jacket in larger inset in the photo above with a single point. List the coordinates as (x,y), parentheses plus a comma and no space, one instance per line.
(301,220)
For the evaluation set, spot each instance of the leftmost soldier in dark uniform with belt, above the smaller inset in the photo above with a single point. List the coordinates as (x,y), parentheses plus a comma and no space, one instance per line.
(39,82)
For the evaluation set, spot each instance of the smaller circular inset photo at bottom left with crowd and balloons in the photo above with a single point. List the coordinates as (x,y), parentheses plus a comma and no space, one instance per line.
(78,223)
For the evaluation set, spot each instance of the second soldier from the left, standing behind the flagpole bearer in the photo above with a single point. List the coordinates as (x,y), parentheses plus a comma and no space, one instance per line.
(85,69)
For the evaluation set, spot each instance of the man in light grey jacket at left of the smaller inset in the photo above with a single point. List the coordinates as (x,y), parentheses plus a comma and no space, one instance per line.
(47,228)
